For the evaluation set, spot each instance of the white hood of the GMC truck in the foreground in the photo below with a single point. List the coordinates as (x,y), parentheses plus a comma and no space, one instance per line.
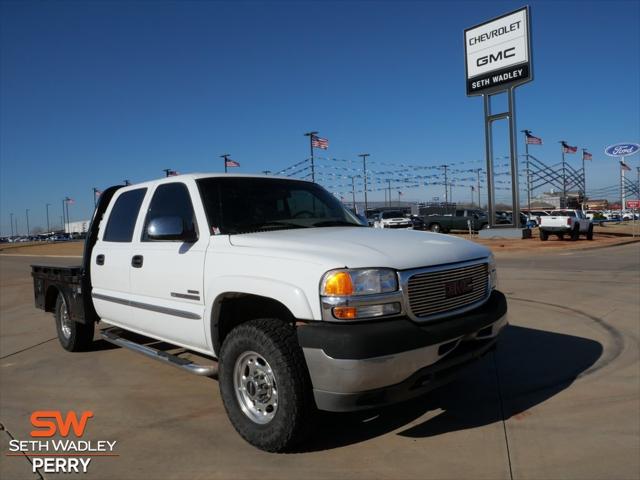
(356,247)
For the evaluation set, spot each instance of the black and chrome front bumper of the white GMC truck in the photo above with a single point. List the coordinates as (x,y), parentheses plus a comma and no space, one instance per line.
(354,367)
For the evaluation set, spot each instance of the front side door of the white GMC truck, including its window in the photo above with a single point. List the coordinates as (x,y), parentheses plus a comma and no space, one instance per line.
(167,279)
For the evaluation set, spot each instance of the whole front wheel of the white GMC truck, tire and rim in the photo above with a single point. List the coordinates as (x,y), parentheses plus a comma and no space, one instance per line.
(265,385)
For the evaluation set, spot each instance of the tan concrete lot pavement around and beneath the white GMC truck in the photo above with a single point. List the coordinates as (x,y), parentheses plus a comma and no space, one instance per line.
(559,398)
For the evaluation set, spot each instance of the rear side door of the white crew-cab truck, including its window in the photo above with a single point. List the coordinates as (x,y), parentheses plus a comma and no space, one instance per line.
(111,258)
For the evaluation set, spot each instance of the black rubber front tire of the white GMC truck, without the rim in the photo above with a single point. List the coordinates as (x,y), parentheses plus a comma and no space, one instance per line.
(277,342)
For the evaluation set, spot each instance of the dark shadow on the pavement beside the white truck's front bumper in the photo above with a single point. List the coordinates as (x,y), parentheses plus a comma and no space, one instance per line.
(528,367)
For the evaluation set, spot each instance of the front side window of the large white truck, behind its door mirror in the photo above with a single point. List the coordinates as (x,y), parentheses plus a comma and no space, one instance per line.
(171,200)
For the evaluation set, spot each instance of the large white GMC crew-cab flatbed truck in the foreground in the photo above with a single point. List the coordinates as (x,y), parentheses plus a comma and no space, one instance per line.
(296,305)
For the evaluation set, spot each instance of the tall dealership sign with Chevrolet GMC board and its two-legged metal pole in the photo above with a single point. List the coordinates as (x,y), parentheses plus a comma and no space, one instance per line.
(498,59)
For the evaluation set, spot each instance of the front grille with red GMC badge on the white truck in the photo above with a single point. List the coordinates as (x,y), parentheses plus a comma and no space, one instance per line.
(432,293)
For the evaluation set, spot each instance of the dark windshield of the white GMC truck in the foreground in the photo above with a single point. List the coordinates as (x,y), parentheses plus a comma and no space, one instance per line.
(243,205)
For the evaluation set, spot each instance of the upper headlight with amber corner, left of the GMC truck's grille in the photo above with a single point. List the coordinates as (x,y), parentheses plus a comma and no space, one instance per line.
(360,281)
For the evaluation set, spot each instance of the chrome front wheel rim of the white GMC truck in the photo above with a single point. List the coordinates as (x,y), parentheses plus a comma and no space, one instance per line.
(255,387)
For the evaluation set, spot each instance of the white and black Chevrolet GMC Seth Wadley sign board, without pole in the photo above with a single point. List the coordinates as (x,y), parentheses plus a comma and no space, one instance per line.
(498,53)
